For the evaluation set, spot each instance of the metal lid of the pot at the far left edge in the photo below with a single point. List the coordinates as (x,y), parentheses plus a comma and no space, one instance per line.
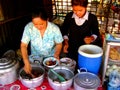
(6,63)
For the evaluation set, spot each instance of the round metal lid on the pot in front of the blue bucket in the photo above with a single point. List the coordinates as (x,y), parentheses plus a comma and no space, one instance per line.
(87,80)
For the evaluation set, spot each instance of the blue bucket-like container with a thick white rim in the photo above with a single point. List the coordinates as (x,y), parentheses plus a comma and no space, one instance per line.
(90,57)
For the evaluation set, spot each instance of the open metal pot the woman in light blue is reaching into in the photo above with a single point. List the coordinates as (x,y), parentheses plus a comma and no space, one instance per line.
(31,82)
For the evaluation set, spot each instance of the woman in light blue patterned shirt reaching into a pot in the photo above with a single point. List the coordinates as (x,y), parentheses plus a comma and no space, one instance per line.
(44,37)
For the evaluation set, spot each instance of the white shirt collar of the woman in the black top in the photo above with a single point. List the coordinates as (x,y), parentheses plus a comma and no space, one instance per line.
(80,21)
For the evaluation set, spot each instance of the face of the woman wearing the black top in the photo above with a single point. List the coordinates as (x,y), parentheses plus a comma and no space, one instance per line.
(79,11)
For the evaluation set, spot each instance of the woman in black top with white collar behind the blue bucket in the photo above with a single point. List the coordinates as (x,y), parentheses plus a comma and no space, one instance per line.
(80,27)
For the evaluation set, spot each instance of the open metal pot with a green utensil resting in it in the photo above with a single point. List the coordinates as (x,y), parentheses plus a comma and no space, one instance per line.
(63,71)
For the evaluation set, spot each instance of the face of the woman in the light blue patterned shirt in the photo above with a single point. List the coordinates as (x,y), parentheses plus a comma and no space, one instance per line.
(39,23)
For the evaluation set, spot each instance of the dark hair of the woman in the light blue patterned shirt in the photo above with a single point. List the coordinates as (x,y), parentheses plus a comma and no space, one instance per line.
(39,12)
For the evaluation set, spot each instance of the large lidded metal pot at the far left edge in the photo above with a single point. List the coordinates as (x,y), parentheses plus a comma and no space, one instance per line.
(8,70)
